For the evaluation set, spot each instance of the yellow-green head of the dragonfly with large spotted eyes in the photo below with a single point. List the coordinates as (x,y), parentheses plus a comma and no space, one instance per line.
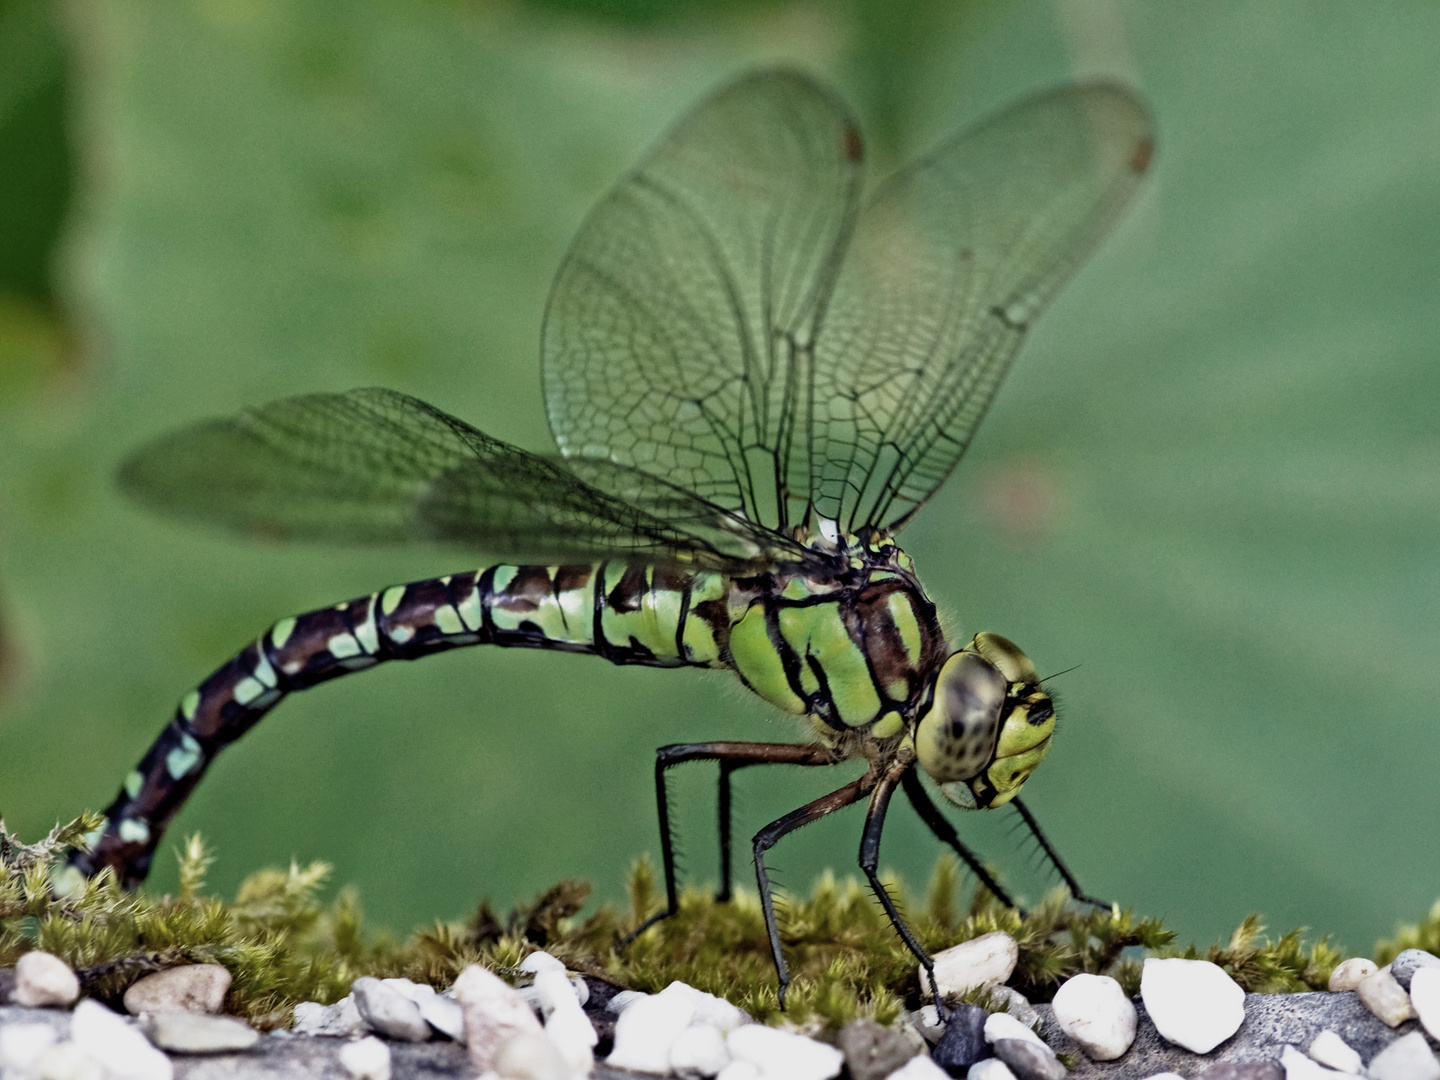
(989,724)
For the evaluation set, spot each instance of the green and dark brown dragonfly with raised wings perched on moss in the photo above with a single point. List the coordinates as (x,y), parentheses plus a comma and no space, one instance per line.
(755,374)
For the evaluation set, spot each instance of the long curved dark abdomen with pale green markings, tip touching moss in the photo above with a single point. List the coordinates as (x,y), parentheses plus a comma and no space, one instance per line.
(630,614)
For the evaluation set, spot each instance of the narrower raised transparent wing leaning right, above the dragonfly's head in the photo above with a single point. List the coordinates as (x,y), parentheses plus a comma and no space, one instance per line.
(948,266)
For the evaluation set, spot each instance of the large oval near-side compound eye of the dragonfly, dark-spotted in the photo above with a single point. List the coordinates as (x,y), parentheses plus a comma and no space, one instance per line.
(957,738)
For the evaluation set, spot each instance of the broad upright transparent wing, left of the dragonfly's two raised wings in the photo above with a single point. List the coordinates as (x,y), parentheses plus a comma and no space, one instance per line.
(679,336)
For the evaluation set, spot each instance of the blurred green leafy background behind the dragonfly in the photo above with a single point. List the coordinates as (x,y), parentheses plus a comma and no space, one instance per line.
(1213,482)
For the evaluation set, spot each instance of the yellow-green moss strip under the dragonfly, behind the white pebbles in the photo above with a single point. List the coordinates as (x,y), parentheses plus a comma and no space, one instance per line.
(283,945)
